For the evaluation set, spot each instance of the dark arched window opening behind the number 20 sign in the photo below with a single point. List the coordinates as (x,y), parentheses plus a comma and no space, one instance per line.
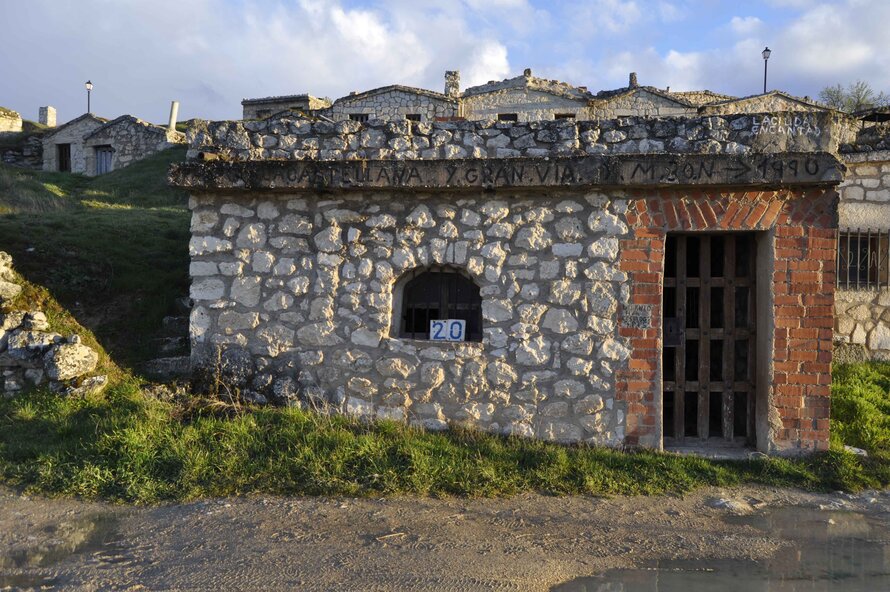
(439,293)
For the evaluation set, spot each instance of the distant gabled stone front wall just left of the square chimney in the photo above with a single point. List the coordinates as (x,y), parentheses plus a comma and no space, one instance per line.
(393,105)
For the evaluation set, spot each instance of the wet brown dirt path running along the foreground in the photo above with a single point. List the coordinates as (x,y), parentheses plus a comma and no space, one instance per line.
(528,542)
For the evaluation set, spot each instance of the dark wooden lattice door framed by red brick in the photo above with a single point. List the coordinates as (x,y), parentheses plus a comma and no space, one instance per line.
(709,339)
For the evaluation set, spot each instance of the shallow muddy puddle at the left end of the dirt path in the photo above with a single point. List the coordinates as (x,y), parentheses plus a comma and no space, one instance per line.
(95,535)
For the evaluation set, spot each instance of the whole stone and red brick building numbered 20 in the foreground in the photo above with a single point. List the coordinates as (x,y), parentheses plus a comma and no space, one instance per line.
(645,282)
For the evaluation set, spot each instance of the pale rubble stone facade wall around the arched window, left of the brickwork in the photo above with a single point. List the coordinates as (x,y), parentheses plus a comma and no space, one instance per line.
(304,284)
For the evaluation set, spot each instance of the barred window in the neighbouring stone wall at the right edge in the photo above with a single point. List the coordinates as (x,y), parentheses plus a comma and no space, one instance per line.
(863,258)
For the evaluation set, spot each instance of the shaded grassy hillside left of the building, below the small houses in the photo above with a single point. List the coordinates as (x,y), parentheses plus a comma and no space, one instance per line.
(112,249)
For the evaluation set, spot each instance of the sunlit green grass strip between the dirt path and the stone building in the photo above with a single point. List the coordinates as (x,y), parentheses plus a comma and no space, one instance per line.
(124,446)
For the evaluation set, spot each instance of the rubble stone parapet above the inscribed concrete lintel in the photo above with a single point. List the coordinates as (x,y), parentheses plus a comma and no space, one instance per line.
(294,138)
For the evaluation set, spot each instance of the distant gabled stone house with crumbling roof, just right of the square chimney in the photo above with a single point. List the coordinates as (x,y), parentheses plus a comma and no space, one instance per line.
(525,98)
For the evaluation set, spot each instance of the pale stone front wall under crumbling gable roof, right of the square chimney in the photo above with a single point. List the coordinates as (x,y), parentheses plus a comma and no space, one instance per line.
(527,104)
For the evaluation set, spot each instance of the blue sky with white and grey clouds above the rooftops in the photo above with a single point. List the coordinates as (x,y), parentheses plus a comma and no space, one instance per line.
(210,54)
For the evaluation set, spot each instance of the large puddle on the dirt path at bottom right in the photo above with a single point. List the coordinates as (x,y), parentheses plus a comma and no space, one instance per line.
(826,551)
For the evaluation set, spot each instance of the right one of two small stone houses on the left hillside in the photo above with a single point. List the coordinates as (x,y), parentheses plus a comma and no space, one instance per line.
(124,140)
